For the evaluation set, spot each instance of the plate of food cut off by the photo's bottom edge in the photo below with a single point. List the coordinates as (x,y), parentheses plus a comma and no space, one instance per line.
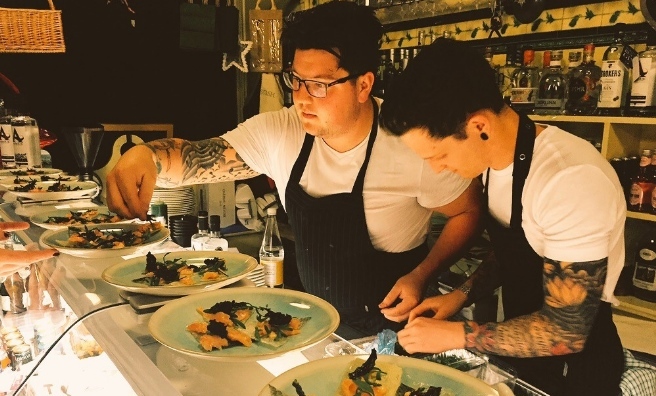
(384,375)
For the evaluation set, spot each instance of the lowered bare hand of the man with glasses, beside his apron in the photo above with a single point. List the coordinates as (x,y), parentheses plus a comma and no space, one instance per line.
(409,289)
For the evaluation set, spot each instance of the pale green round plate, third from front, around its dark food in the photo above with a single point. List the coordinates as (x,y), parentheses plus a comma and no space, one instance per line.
(122,274)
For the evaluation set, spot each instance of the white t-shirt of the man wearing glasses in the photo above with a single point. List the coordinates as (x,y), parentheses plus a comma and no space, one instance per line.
(399,187)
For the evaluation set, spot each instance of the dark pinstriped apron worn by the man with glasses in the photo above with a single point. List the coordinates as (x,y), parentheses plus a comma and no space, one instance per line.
(334,254)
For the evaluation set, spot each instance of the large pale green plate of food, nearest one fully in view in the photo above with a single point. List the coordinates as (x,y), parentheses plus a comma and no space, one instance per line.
(251,323)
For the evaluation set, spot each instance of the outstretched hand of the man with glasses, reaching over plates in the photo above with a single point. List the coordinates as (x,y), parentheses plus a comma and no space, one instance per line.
(131,183)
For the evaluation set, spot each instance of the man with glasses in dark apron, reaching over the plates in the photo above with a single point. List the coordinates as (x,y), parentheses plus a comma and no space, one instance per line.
(359,202)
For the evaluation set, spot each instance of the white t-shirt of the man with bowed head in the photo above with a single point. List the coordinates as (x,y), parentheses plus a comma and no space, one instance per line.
(574,206)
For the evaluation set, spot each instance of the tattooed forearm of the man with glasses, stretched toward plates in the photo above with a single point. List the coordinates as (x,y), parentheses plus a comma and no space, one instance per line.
(182,162)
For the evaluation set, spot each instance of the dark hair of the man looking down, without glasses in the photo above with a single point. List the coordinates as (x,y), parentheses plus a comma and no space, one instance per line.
(439,89)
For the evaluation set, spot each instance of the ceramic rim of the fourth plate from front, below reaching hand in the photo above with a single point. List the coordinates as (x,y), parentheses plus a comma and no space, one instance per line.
(102,253)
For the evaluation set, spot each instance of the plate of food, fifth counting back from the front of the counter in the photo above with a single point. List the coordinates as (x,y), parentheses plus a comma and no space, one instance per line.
(62,218)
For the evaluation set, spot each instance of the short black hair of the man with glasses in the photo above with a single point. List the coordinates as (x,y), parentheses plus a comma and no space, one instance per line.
(343,28)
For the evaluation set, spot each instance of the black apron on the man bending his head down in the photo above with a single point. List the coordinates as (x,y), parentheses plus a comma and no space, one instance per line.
(598,368)
